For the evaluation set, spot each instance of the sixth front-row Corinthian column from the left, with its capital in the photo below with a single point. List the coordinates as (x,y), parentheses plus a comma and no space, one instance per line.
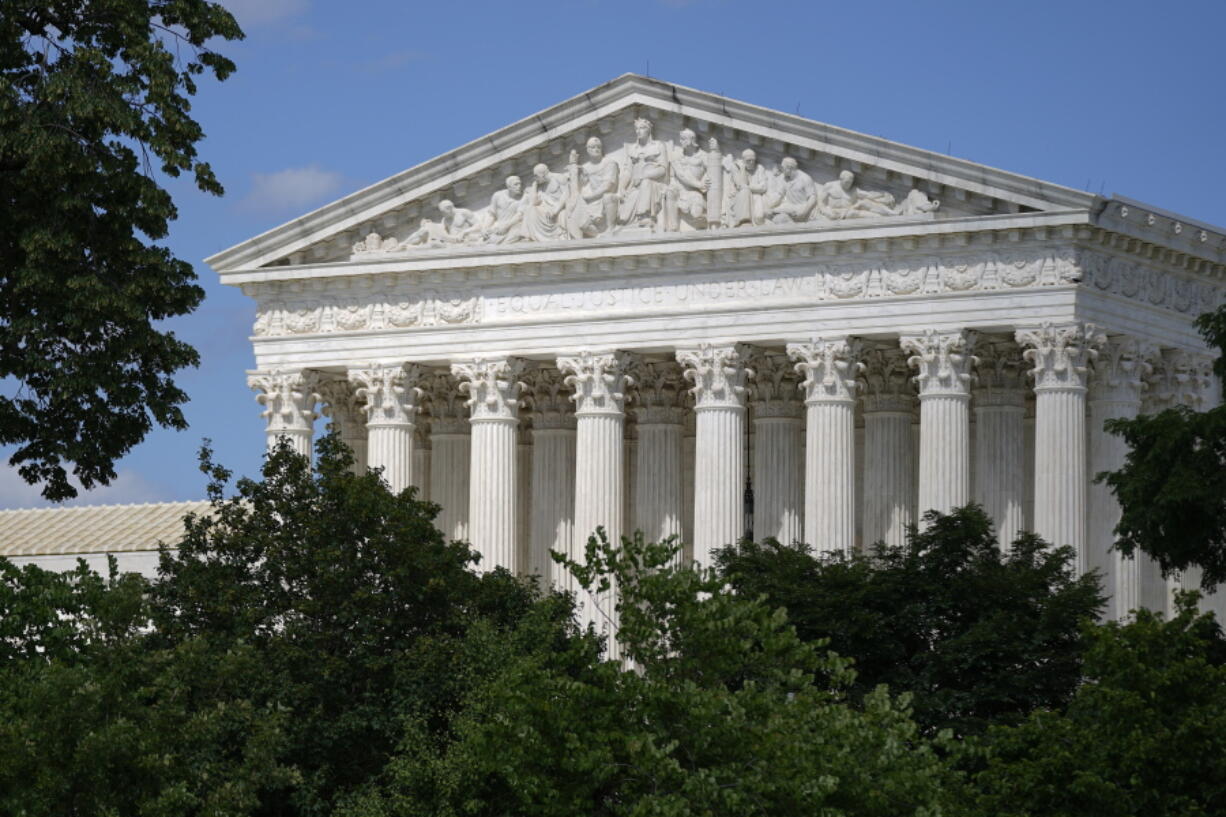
(829,367)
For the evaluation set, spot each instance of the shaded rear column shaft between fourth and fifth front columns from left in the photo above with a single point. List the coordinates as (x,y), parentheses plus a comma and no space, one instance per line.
(658,501)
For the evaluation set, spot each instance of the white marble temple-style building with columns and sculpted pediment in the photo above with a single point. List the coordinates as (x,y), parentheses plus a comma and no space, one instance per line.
(632,307)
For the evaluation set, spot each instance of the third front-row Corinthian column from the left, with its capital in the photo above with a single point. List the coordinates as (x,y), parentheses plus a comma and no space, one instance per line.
(493,389)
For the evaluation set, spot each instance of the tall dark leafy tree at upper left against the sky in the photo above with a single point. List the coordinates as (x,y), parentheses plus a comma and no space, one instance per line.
(95,100)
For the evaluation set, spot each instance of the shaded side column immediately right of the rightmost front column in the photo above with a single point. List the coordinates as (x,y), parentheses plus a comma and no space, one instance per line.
(1116,387)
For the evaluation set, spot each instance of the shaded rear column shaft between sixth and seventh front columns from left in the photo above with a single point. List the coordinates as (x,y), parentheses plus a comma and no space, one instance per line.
(889,469)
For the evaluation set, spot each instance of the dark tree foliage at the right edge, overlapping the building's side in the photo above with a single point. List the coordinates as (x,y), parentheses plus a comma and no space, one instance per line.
(1173,486)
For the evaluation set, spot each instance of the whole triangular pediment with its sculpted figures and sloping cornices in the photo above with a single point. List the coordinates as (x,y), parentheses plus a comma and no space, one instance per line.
(690,174)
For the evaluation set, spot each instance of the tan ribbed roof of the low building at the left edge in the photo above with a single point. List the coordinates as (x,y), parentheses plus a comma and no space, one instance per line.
(95,529)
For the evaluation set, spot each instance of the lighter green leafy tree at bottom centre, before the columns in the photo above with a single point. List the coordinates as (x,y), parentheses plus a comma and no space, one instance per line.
(722,711)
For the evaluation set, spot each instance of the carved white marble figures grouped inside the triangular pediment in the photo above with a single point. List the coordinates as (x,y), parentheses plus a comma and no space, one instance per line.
(653,187)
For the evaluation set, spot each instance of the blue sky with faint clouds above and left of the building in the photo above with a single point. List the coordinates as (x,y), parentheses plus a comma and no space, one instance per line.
(1115,98)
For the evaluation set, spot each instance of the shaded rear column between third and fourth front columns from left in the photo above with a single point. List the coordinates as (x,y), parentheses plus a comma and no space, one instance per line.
(554,478)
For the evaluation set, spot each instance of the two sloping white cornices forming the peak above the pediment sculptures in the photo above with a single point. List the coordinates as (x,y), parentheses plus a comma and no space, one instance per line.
(864,148)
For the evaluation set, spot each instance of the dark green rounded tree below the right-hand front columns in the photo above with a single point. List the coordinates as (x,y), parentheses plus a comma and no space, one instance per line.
(975,636)
